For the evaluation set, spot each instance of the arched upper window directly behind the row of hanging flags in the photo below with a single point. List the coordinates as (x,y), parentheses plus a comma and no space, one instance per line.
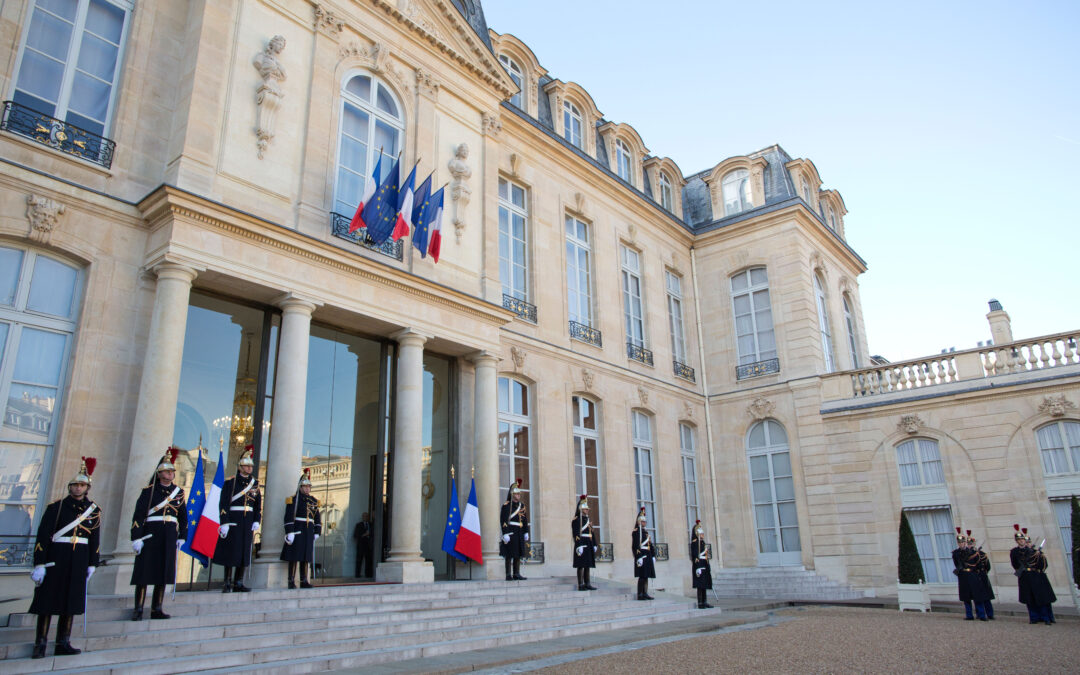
(372,120)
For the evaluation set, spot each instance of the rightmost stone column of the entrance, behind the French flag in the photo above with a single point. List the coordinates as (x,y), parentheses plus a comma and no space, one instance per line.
(487,454)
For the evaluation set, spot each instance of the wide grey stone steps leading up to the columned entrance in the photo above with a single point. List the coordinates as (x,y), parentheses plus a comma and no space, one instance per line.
(331,628)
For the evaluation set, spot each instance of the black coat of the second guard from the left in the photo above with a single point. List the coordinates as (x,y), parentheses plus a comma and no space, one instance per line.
(161,516)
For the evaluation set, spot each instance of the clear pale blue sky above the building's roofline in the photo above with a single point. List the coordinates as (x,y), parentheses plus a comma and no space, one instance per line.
(951,129)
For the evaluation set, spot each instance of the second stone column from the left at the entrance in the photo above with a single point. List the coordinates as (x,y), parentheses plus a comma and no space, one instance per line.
(287,436)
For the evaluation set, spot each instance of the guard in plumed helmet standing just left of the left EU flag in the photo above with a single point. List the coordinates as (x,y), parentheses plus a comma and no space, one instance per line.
(159,529)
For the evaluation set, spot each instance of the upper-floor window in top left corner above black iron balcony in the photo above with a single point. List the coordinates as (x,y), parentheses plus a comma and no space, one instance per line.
(72,59)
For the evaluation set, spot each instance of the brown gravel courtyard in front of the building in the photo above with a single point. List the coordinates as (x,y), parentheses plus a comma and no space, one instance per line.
(858,641)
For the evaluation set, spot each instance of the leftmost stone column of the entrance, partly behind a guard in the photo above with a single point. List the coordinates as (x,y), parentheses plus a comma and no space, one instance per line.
(156,411)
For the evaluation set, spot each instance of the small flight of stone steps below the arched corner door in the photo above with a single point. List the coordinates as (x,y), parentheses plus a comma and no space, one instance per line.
(779,584)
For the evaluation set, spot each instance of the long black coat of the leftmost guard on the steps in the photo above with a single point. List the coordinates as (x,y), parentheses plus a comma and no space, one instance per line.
(69,538)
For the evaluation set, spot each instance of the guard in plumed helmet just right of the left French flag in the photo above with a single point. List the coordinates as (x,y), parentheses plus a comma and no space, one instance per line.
(241,512)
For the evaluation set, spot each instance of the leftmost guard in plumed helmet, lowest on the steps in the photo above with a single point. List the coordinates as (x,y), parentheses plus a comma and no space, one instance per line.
(65,558)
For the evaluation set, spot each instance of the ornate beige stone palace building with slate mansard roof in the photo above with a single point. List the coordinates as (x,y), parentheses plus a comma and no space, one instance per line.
(177,269)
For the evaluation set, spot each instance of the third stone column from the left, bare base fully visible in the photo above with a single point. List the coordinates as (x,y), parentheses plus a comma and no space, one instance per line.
(407,564)
